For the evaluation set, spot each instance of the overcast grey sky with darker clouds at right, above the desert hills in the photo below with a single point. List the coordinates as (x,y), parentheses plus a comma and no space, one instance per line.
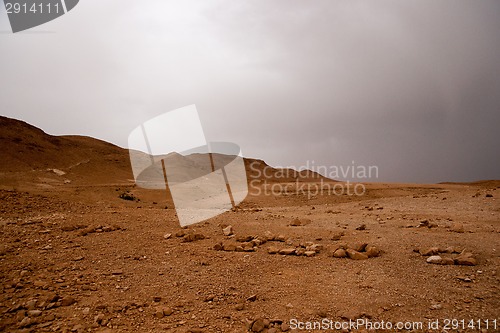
(412,87)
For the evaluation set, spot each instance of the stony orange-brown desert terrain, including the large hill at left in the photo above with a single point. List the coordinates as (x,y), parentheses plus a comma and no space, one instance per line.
(77,256)
